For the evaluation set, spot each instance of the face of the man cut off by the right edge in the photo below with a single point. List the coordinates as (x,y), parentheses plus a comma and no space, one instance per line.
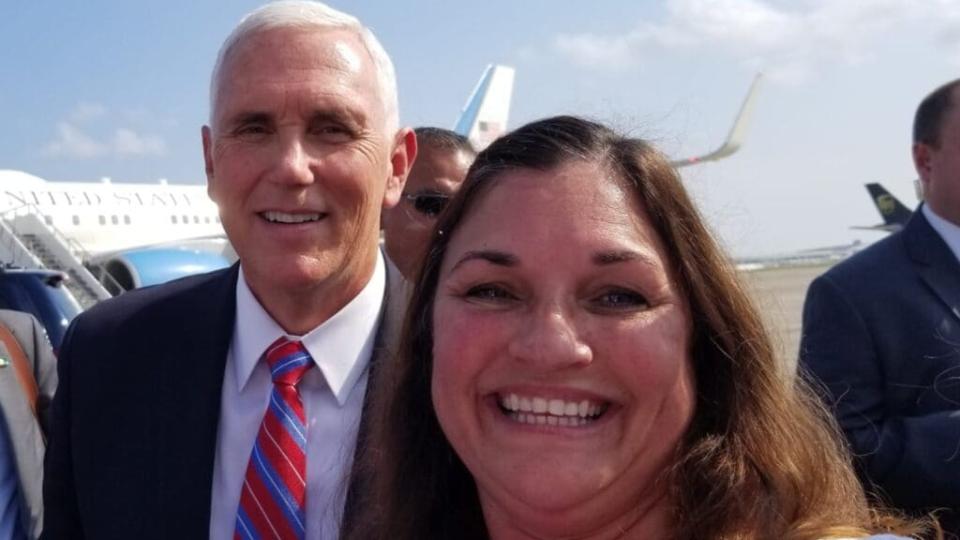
(939,165)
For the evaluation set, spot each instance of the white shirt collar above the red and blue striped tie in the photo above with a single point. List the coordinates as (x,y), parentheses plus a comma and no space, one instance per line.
(340,347)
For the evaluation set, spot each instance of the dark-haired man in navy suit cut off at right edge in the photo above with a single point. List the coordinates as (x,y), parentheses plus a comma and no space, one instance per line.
(881,330)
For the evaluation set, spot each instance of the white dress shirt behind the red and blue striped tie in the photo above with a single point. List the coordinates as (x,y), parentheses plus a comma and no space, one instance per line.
(332,395)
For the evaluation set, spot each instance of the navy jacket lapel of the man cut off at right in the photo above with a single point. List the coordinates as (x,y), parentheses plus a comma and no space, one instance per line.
(935,263)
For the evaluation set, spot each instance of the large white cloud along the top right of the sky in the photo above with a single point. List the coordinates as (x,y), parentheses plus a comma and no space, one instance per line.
(791,39)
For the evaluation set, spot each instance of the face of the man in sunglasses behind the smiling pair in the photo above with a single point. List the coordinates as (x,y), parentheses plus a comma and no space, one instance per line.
(436,175)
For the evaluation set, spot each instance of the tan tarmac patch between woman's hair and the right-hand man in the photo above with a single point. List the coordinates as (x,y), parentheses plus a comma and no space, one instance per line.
(779,293)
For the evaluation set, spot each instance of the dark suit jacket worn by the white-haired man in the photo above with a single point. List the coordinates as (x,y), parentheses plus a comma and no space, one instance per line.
(135,418)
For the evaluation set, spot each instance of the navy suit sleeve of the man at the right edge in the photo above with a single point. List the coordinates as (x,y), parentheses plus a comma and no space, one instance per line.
(911,460)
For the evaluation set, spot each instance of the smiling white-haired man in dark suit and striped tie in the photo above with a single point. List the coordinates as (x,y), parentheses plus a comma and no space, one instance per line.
(229,403)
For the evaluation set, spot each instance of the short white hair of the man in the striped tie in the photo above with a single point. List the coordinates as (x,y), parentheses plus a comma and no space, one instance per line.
(307,14)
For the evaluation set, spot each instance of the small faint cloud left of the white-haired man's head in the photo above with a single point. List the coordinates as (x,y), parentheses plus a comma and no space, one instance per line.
(73,141)
